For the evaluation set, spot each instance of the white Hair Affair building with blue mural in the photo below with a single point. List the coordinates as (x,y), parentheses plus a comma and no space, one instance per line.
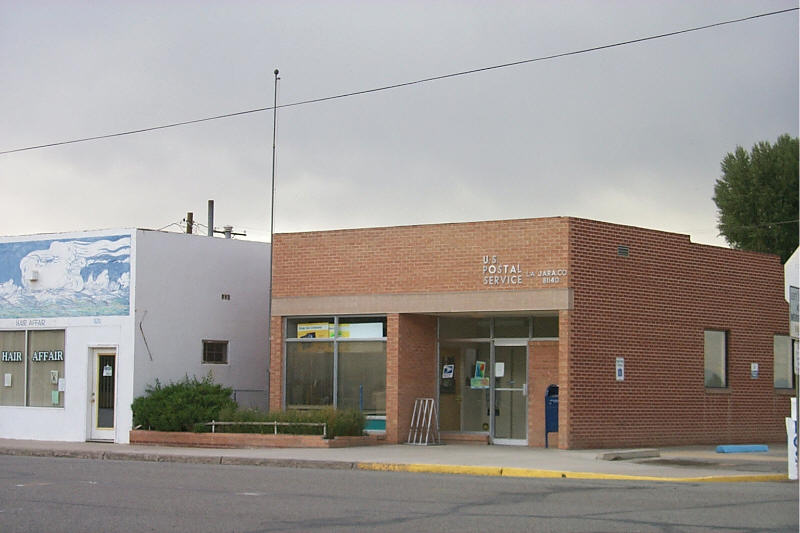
(88,320)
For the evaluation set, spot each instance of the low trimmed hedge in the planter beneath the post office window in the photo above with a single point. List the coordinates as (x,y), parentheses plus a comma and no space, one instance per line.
(349,422)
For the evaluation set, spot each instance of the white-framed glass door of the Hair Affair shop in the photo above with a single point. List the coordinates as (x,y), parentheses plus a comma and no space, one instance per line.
(103,395)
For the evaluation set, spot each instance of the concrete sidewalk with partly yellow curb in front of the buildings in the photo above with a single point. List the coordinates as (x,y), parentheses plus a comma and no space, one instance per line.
(680,464)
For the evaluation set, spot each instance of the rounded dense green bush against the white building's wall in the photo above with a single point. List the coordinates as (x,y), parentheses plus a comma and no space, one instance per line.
(179,406)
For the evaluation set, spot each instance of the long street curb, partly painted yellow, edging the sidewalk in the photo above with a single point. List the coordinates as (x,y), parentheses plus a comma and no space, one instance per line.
(493,471)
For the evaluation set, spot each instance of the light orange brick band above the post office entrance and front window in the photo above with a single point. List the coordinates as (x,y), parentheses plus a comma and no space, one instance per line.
(414,259)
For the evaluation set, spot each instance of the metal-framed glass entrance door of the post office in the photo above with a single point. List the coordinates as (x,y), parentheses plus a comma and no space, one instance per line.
(510,394)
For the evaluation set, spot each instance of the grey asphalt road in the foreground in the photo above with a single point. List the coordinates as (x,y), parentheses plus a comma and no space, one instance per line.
(76,495)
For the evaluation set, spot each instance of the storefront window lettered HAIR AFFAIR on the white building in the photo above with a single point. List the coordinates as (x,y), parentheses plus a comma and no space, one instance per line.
(32,374)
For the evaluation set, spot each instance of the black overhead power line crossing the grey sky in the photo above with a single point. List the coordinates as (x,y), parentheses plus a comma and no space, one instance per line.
(406,84)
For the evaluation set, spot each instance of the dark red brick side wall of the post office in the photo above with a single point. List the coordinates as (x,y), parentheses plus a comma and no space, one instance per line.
(652,308)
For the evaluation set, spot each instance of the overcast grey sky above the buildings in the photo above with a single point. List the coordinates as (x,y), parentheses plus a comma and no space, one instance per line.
(632,135)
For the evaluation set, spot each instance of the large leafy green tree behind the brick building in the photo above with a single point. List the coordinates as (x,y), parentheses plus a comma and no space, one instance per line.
(757,198)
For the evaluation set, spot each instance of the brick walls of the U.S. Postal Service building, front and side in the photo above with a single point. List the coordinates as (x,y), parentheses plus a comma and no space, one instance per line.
(650,308)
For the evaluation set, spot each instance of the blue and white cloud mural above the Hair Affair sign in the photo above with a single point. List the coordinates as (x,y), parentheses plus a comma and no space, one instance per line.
(65,277)
